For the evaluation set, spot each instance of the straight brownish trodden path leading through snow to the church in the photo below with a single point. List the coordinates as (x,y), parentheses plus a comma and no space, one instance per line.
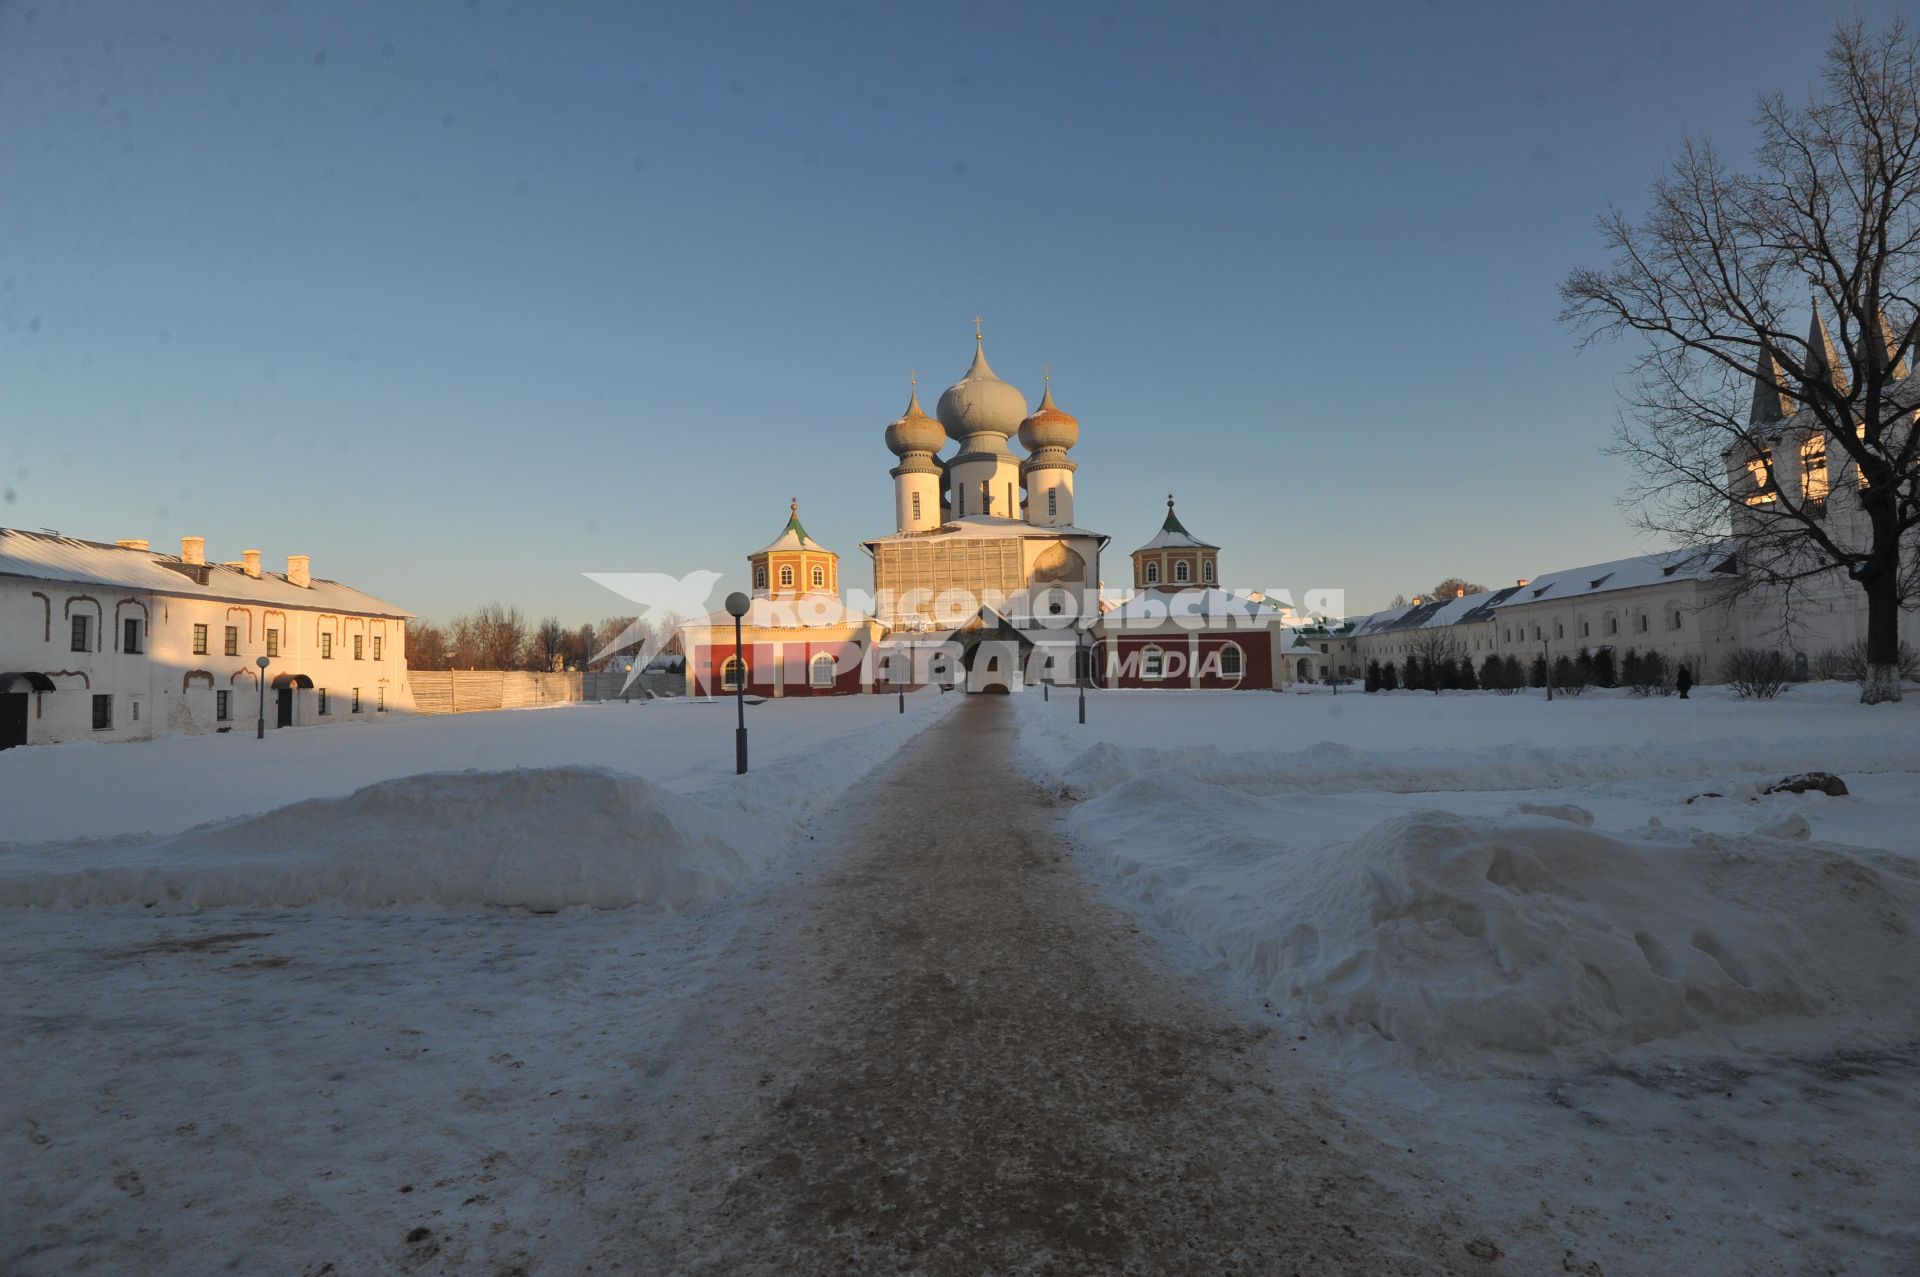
(959,1059)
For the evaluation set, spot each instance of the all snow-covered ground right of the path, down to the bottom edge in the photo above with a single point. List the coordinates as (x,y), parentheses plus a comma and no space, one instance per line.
(1652,1024)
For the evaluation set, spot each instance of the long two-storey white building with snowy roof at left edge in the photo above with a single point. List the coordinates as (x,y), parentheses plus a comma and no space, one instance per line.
(116,642)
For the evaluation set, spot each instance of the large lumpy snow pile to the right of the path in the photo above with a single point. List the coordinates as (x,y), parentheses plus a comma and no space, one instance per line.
(1533,934)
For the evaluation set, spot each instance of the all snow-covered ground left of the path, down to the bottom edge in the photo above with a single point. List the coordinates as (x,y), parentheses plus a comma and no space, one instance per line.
(425,1084)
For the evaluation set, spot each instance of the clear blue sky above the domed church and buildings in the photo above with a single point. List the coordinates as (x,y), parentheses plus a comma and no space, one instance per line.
(469,299)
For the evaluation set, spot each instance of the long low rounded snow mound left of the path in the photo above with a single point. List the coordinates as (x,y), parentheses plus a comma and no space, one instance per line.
(539,838)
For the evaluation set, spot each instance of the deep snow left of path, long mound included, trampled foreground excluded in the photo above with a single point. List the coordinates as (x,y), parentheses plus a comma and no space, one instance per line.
(600,806)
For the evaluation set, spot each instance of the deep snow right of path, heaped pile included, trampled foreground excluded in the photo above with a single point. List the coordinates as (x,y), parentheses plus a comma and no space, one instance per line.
(1476,907)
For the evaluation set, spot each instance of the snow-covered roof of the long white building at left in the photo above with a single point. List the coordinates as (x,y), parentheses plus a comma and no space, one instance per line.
(45,556)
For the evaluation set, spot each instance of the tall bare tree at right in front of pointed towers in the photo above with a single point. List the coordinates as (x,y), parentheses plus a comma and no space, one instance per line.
(1800,446)
